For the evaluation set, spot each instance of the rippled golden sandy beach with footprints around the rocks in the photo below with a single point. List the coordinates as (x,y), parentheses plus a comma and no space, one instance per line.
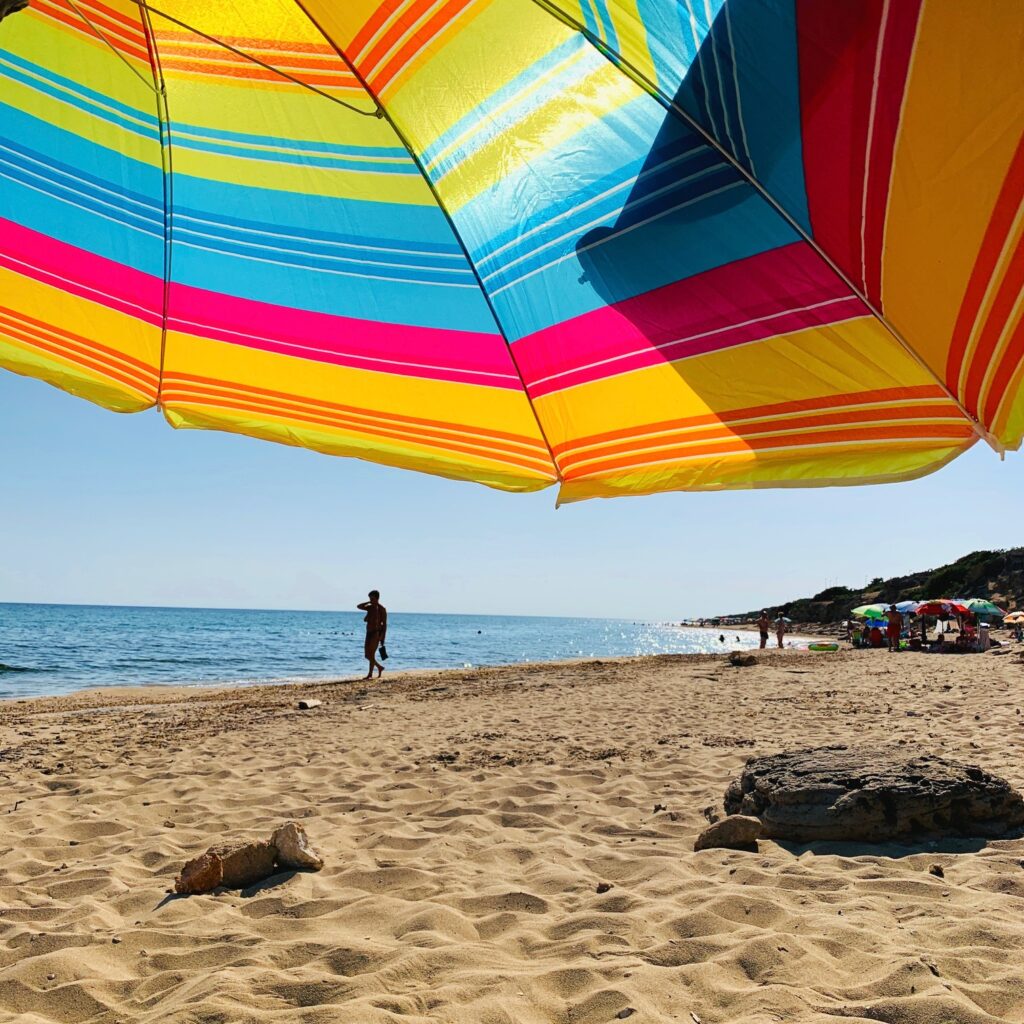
(467,820)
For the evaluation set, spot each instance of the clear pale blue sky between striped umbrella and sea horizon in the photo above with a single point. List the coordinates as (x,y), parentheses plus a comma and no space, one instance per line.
(100,508)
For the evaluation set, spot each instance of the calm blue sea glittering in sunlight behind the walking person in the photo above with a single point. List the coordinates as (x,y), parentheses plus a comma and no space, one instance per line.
(58,649)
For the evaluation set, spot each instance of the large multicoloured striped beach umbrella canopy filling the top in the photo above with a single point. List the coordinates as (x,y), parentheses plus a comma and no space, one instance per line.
(621,248)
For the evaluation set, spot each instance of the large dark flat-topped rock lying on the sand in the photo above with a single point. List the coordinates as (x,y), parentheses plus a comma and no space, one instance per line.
(872,795)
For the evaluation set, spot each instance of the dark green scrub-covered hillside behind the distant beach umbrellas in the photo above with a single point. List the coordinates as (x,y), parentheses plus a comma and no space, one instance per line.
(998,576)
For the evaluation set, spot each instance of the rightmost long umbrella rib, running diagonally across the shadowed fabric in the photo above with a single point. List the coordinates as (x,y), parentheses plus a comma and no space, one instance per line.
(650,88)
